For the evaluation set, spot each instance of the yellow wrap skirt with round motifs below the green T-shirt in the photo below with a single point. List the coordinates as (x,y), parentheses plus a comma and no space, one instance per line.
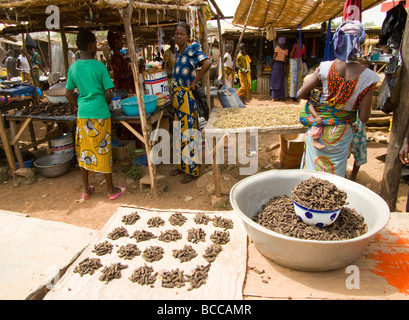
(93,145)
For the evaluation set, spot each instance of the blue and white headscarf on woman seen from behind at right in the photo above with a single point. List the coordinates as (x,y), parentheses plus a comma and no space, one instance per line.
(347,39)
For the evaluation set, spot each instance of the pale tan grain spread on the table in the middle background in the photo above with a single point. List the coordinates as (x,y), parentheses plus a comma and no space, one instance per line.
(274,116)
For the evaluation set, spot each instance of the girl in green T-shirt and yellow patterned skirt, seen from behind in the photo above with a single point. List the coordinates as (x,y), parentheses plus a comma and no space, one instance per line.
(93,134)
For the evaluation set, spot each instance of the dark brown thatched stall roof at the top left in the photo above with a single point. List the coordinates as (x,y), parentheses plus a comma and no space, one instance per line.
(31,16)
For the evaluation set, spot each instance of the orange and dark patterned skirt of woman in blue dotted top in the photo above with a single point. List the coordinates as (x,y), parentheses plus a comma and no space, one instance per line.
(188,148)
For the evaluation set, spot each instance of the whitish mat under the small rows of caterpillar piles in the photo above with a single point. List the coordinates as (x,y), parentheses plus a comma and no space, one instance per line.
(225,278)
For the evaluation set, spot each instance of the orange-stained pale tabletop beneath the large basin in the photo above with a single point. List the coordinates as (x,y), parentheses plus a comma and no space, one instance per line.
(381,272)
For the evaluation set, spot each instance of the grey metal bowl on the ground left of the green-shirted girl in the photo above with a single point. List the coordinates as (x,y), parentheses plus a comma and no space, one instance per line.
(53,165)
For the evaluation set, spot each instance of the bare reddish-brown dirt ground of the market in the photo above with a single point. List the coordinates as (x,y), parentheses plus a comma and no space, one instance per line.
(58,198)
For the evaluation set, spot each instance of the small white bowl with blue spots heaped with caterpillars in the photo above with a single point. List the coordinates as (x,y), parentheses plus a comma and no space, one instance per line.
(316,218)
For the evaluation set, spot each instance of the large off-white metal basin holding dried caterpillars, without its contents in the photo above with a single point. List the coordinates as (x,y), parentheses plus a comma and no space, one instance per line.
(250,194)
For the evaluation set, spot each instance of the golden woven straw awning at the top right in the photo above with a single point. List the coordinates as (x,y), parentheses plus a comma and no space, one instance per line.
(289,14)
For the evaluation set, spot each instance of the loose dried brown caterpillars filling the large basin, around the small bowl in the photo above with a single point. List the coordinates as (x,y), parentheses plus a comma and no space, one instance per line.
(278,215)
